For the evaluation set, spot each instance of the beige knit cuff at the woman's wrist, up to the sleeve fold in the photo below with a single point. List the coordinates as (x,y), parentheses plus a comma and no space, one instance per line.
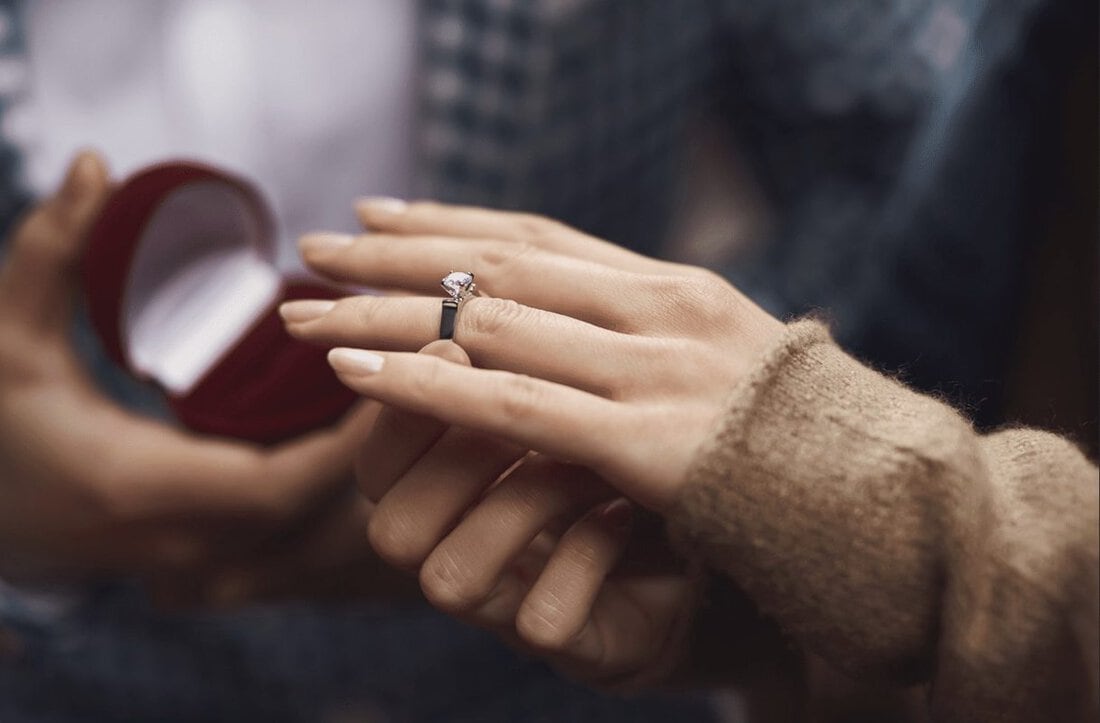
(806,497)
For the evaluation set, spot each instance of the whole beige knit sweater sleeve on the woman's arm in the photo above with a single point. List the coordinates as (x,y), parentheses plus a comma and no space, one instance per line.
(888,538)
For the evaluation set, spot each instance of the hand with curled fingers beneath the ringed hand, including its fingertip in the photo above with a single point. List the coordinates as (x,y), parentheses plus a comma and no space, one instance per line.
(543,553)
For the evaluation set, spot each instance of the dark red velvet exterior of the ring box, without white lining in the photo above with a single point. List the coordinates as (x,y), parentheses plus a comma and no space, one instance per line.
(268,388)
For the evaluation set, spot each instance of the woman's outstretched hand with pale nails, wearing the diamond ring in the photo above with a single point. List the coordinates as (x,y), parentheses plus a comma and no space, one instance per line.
(589,353)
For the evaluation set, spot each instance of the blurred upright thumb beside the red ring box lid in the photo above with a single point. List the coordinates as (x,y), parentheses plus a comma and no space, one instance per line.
(39,279)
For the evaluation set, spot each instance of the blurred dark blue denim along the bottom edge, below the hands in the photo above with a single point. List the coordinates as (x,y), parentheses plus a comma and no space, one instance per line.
(112,658)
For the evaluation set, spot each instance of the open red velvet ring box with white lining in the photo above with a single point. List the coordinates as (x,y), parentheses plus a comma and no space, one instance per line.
(183,289)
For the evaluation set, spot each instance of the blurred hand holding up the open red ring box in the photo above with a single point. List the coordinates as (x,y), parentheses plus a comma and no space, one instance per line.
(89,489)
